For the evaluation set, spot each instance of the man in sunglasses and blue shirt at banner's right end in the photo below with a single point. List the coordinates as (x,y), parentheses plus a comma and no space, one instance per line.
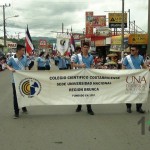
(134,61)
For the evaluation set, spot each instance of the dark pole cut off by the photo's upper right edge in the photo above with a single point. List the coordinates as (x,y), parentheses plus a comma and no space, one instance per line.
(148,46)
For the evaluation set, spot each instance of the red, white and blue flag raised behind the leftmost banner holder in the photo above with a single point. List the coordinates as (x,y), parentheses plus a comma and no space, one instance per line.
(28,42)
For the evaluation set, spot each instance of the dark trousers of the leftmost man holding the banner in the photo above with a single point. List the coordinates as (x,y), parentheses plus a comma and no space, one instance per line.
(15,102)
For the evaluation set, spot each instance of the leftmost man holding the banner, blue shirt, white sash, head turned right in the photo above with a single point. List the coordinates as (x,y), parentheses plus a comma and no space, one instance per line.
(17,62)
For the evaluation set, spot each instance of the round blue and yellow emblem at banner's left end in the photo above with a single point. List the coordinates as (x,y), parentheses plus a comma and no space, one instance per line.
(30,87)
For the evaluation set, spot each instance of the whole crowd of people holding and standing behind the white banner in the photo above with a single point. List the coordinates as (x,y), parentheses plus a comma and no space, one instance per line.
(80,58)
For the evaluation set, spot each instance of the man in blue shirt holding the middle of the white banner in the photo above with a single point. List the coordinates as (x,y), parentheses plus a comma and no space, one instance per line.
(85,60)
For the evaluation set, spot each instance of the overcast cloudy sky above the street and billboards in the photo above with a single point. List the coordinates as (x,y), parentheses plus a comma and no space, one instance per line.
(44,16)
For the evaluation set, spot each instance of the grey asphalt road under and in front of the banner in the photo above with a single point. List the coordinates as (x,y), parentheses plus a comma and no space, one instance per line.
(61,128)
